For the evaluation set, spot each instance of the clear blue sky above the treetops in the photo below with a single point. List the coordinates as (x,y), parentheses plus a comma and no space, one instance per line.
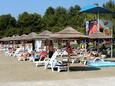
(16,7)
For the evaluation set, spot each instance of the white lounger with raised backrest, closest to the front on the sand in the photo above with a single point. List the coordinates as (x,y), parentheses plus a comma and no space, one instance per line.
(53,63)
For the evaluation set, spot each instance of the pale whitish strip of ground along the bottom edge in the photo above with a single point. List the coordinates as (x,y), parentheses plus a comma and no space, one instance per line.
(105,81)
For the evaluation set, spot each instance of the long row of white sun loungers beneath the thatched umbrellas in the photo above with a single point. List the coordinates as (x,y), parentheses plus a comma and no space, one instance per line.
(53,62)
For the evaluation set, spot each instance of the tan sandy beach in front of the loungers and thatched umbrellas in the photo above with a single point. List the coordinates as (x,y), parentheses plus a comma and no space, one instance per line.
(12,70)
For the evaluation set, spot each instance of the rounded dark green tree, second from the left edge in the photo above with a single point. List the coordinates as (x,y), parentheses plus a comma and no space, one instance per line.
(30,21)
